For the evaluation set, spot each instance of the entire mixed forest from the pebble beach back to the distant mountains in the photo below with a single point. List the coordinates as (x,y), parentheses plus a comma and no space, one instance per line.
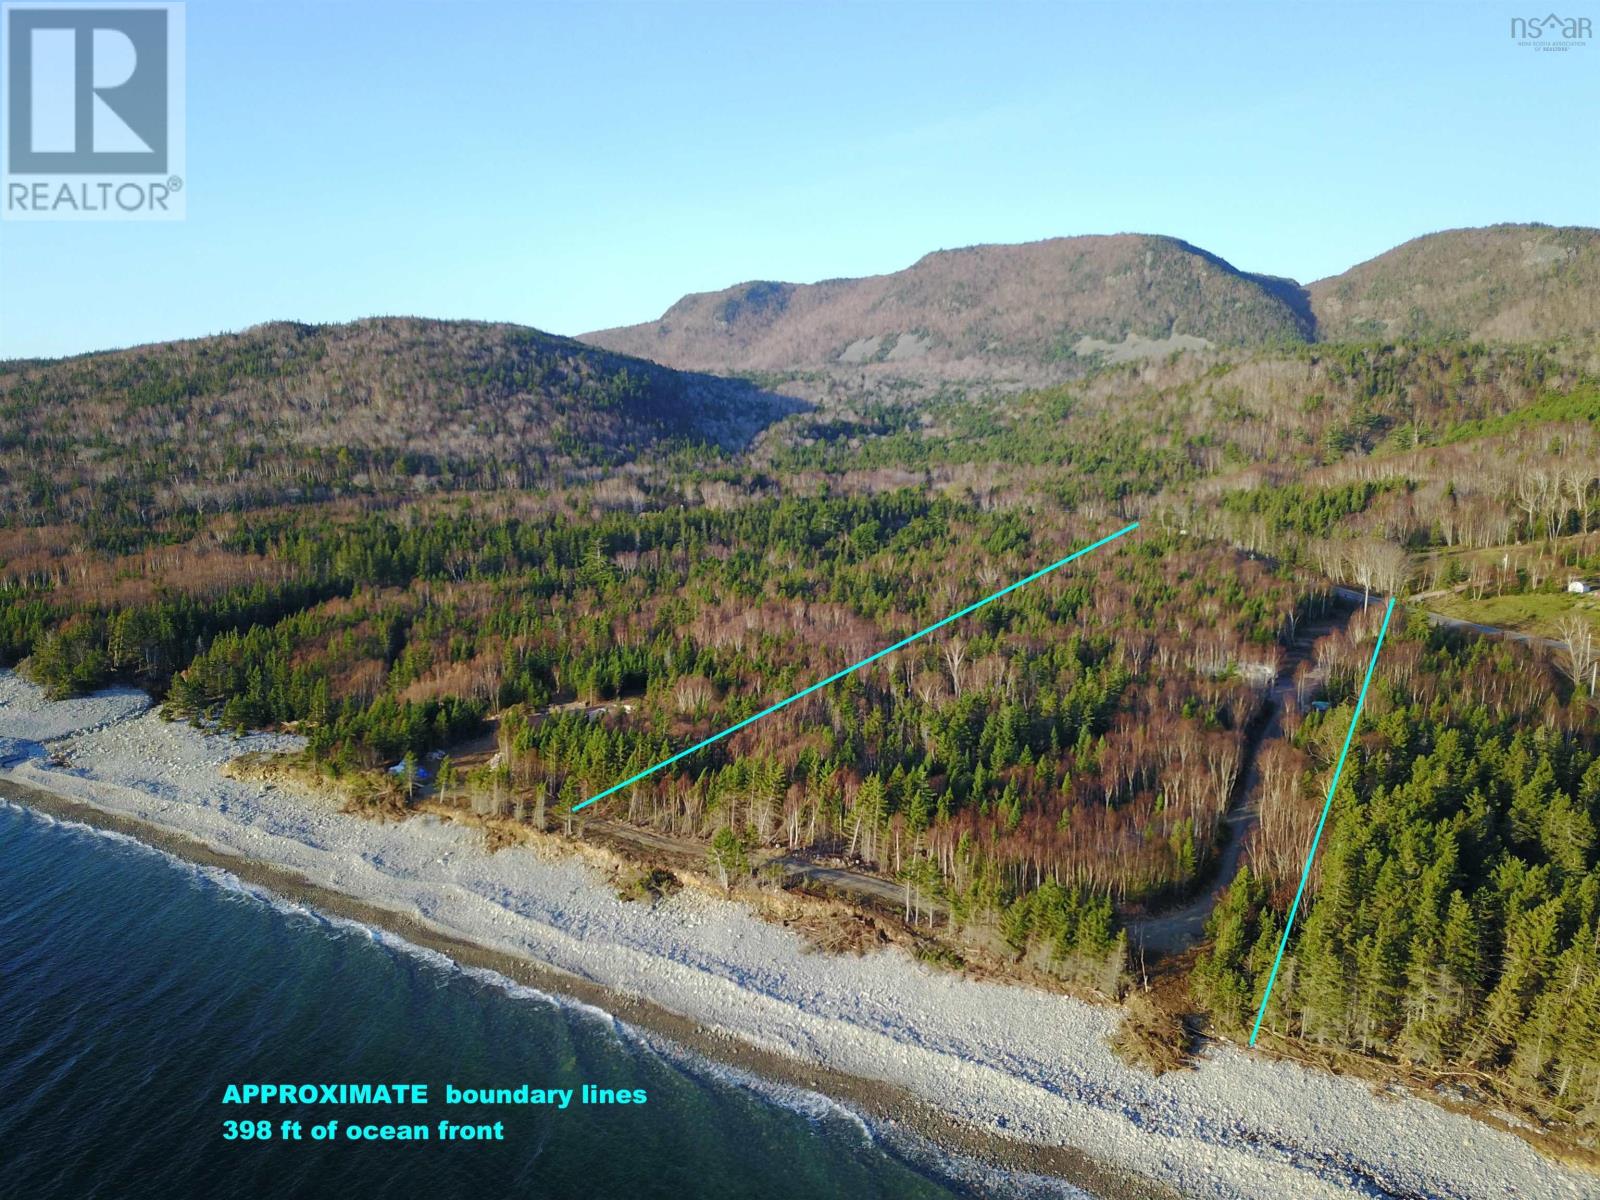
(410,540)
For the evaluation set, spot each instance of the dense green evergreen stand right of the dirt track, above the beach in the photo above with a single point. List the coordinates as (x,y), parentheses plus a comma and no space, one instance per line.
(1457,902)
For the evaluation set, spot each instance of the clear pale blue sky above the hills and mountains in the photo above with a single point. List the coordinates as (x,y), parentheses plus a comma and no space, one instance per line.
(583,166)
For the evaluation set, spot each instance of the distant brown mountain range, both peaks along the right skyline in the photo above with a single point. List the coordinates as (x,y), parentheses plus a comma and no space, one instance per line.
(1044,305)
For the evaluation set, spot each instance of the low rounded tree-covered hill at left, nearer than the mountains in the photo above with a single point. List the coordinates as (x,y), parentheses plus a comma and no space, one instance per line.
(295,414)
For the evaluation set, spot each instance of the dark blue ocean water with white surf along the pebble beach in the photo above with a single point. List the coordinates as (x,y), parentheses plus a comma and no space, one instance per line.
(135,988)
